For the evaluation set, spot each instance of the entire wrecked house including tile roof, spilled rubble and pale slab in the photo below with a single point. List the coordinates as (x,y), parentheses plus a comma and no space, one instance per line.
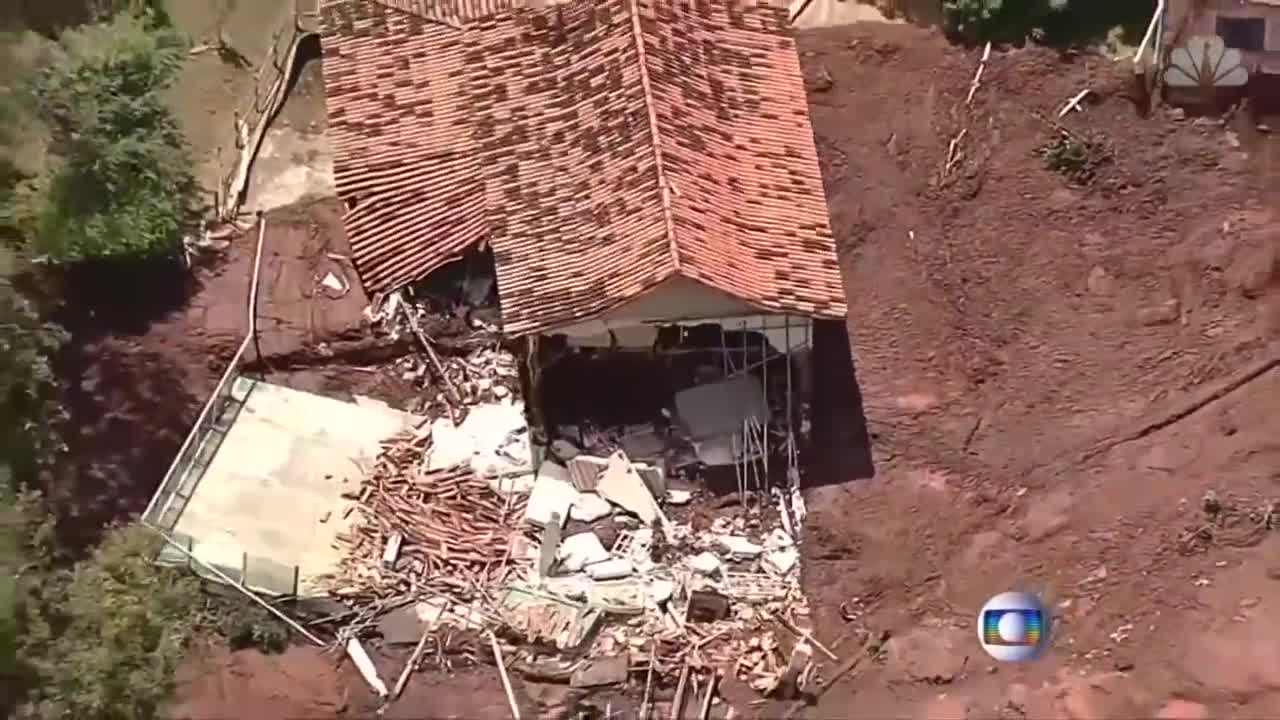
(628,198)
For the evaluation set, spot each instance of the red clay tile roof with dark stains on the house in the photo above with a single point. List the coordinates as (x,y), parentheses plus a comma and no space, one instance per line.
(600,147)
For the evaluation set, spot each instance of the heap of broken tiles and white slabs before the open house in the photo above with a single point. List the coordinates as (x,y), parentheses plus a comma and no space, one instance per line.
(591,560)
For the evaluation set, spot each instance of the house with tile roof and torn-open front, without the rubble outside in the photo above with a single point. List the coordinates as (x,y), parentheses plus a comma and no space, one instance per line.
(646,177)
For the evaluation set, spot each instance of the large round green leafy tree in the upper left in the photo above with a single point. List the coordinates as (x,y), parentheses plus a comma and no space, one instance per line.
(117,183)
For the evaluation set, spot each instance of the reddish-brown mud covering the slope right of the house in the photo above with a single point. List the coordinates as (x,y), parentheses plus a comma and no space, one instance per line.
(1004,322)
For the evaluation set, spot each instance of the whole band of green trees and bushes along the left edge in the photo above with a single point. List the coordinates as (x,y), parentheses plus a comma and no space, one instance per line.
(93,167)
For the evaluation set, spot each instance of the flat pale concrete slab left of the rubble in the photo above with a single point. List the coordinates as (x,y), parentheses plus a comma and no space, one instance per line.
(273,493)
